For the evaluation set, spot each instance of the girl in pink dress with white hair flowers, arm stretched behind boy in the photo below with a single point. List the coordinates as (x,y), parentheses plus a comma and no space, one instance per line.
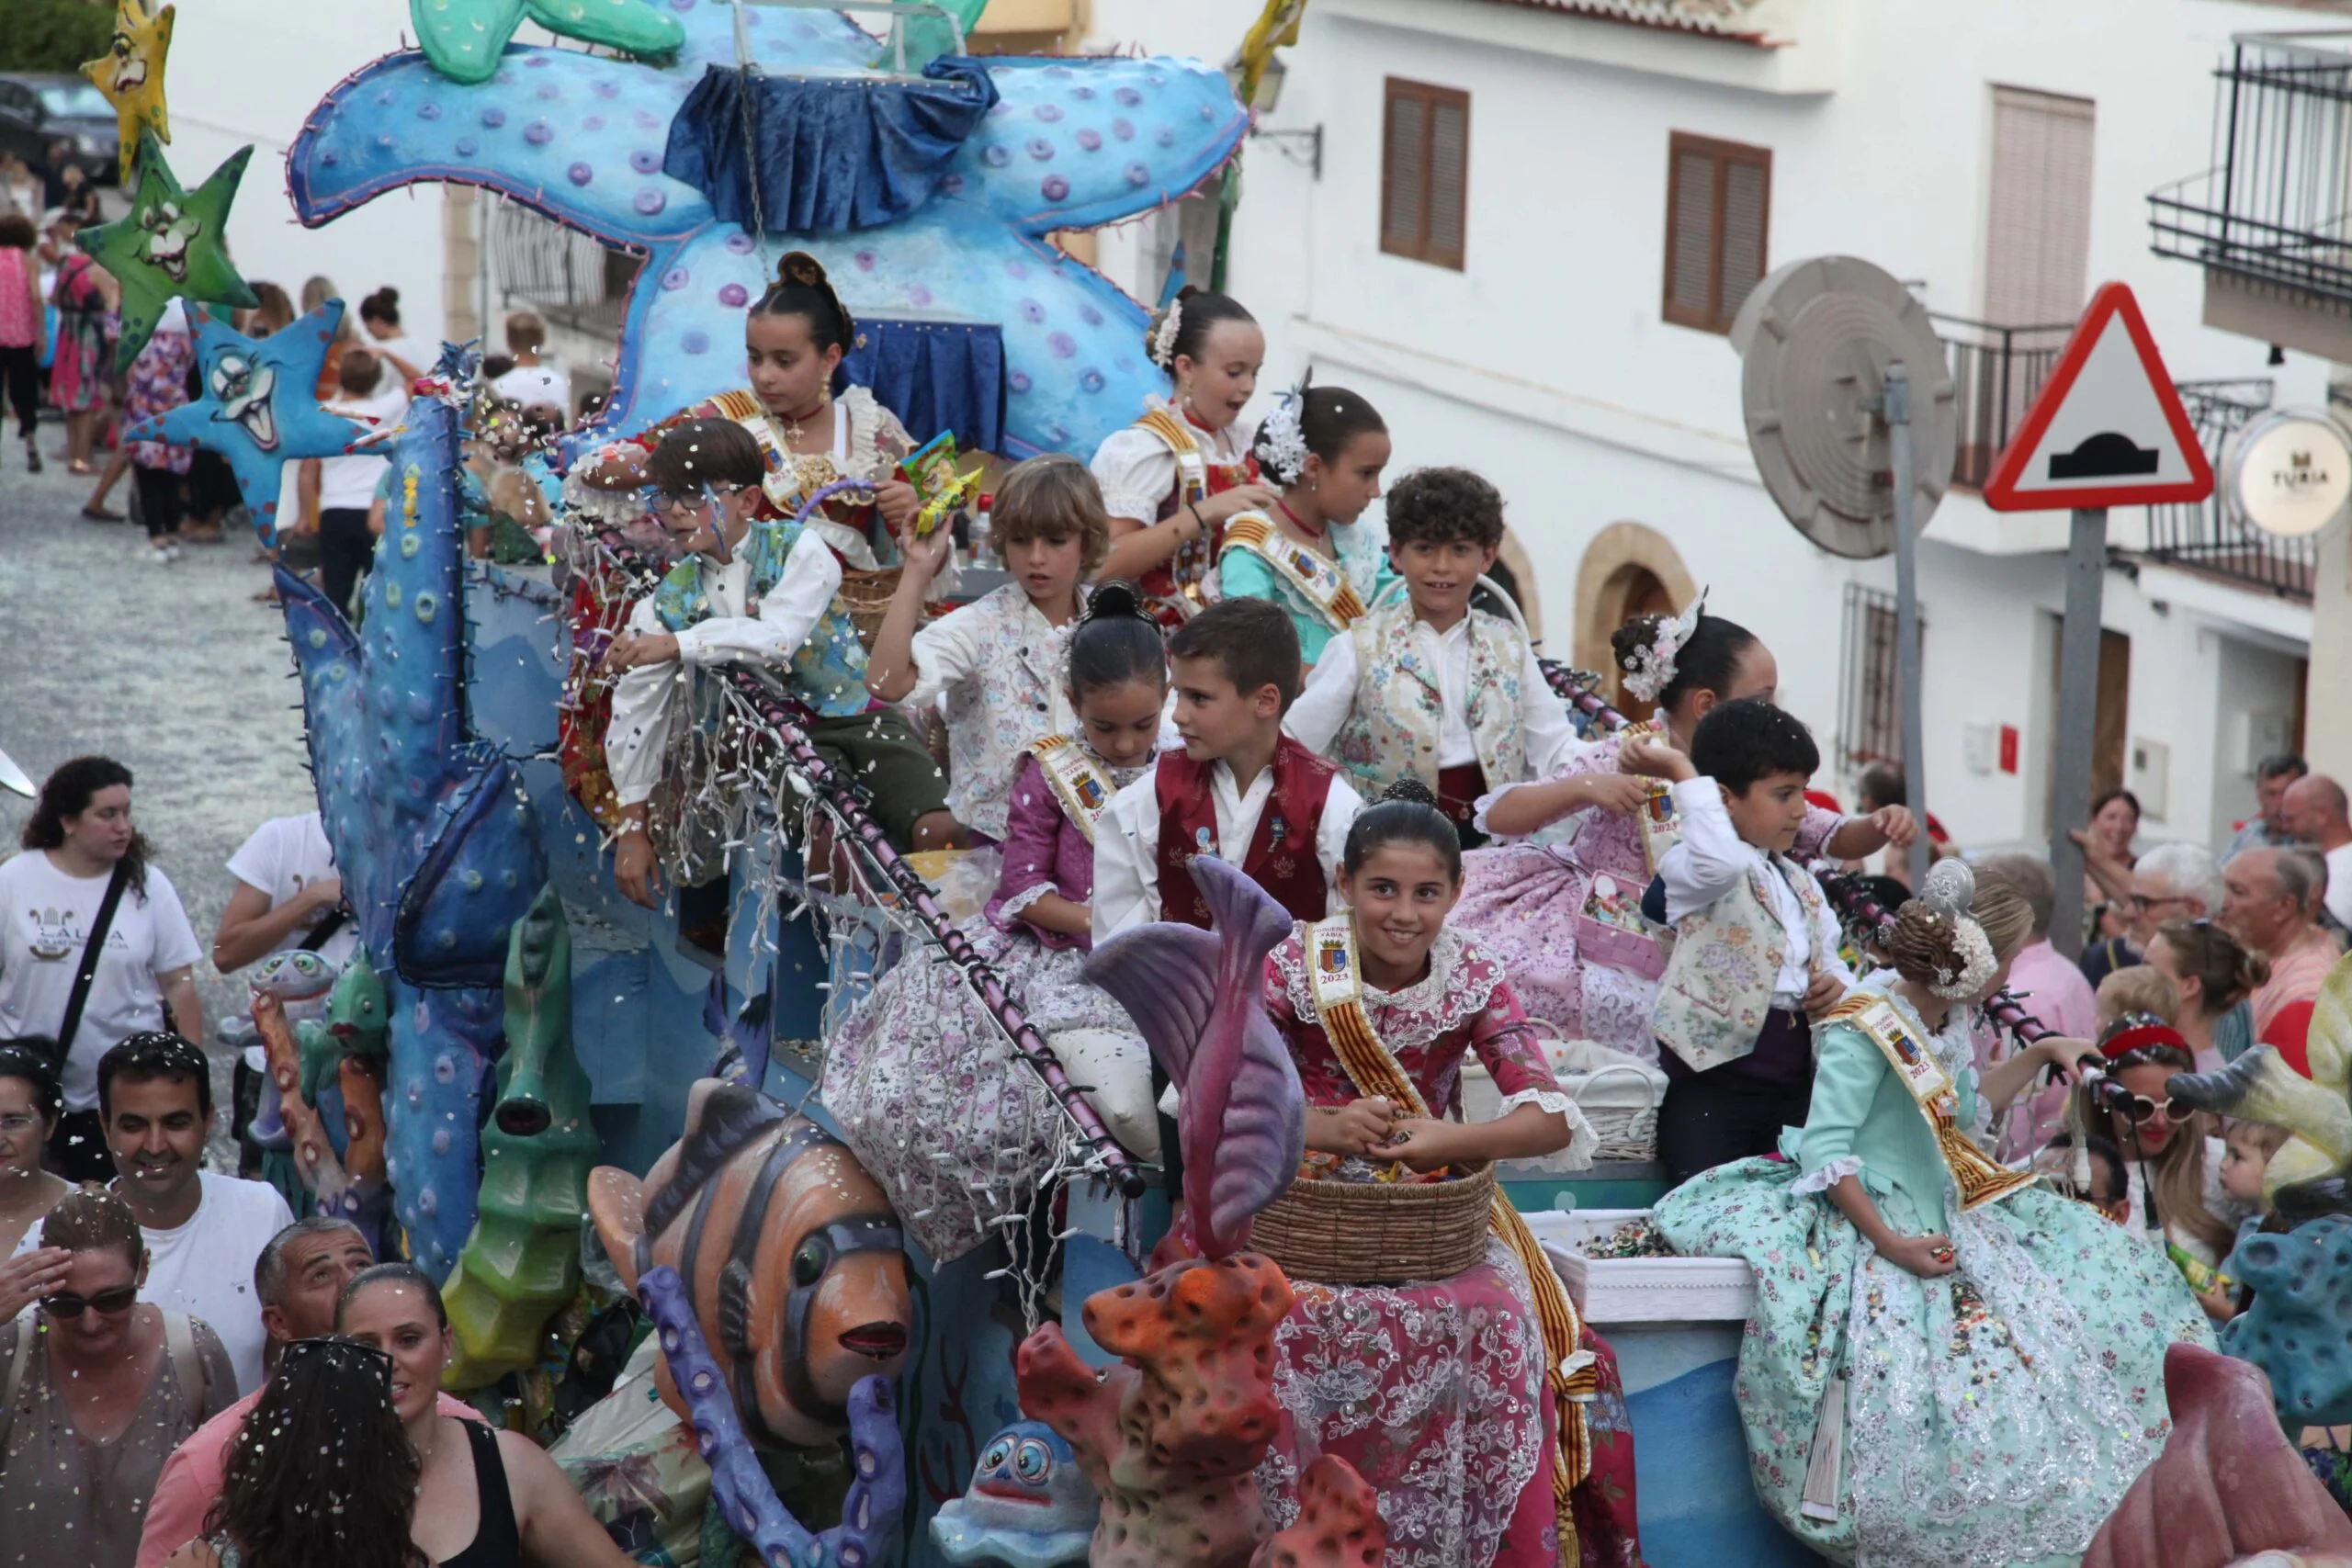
(1556,899)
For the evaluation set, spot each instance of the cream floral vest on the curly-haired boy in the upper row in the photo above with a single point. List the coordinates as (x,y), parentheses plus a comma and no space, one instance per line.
(1398,706)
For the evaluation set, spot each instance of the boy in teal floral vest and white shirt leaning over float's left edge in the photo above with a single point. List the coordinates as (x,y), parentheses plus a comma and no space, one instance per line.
(756,594)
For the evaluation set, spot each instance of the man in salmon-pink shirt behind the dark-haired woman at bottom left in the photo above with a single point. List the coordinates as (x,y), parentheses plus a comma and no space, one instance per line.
(298,1280)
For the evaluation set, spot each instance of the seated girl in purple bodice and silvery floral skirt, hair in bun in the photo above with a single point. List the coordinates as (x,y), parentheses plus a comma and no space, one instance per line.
(918,1078)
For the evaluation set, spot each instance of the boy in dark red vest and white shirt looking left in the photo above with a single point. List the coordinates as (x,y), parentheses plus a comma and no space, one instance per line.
(1241,789)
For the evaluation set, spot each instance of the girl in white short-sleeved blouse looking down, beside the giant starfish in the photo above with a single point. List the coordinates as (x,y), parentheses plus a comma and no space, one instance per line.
(1180,474)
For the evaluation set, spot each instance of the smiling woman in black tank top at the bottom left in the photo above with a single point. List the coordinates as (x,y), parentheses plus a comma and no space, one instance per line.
(483,1499)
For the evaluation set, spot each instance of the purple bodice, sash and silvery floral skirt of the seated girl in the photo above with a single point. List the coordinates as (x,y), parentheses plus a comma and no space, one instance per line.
(921,1078)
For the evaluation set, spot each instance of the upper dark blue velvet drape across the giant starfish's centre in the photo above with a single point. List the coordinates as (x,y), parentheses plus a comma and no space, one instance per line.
(836,154)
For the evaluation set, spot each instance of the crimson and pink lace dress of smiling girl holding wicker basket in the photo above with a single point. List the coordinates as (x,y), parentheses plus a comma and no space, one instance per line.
(1445,1395)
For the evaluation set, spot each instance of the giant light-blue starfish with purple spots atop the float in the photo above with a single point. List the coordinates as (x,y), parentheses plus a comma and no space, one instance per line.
(582,138)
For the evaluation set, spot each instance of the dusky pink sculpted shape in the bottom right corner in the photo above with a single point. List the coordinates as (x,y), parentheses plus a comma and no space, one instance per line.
(2226,1489)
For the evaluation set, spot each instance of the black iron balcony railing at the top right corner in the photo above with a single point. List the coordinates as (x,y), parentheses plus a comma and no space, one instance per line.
(2276,203)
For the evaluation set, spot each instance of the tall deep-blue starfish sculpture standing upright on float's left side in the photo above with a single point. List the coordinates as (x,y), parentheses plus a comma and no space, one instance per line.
(429,826)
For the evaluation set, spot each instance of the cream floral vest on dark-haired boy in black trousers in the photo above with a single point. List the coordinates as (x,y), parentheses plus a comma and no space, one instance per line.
(1723,972)
